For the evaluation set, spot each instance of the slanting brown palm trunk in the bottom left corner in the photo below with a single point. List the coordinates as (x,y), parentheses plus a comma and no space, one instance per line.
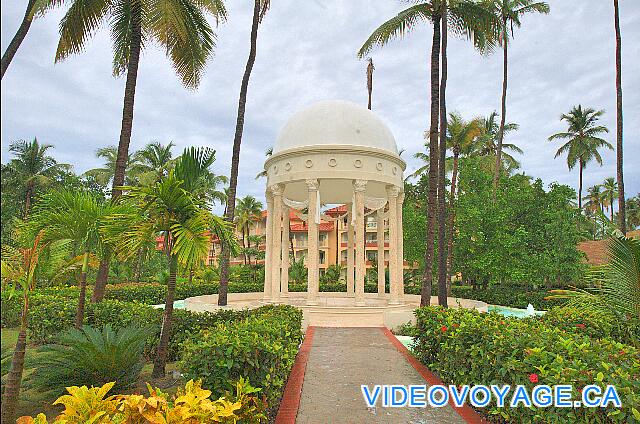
(14,378)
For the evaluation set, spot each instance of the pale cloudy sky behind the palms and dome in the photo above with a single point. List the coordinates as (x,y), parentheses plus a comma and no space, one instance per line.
(306,53)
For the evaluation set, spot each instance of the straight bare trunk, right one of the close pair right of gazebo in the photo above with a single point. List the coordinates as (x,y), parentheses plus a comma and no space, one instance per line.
(442,207)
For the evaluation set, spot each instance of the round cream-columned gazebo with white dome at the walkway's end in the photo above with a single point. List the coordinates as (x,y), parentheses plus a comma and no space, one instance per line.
(335,152)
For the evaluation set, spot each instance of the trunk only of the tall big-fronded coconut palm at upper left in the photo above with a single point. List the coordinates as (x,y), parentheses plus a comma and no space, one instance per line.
(125,138)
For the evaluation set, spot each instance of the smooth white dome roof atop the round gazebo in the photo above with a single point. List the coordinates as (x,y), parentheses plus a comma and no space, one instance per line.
(335,122)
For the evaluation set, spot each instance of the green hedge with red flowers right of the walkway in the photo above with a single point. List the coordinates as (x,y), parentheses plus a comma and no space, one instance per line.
(467,347)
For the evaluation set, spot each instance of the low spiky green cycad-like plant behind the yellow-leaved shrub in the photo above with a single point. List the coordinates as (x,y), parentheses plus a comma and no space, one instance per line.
(90,356)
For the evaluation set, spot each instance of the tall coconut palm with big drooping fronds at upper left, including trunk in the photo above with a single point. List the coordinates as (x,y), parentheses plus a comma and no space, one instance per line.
(180,27)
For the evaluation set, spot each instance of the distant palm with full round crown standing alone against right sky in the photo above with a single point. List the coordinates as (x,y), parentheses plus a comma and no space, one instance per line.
(583,141)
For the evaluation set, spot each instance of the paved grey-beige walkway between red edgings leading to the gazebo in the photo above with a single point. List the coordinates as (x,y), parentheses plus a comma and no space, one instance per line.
(340,360)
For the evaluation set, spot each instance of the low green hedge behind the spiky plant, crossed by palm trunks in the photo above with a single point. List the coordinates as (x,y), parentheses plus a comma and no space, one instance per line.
(50,315)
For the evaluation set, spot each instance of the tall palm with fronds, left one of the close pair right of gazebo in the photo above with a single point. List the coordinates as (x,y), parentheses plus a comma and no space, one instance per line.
(470,19)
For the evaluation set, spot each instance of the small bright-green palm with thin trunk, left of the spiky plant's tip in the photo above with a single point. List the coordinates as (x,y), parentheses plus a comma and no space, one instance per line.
(75,216)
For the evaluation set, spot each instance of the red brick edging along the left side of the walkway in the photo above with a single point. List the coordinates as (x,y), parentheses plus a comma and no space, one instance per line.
(293,391)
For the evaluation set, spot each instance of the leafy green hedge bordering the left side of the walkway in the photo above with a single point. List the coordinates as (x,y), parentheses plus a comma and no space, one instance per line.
(262,347)
